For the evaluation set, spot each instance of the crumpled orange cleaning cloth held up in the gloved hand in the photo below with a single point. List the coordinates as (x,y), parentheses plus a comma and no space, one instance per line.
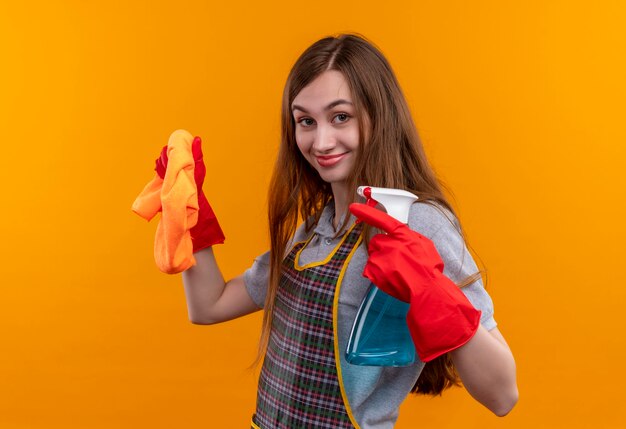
(176,196)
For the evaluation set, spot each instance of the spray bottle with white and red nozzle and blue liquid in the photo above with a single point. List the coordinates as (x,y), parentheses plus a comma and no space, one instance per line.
(380,335)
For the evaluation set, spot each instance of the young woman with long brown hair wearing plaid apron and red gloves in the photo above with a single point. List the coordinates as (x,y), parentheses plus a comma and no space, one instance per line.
(345,123)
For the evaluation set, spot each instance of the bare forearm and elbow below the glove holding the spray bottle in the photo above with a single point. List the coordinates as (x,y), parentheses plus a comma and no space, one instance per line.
(487,369)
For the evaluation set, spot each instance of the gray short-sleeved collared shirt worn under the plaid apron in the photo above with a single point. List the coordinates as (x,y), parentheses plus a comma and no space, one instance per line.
(374,394)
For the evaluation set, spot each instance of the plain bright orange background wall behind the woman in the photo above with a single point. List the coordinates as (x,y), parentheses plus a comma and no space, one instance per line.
(520,106)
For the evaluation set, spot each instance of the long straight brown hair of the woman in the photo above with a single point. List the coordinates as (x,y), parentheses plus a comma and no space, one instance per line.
(390,155)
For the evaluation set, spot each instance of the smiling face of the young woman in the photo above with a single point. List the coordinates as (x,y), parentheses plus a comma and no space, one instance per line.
(327,129)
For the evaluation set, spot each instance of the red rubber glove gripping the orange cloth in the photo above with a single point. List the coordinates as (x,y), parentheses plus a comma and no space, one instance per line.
(207,231)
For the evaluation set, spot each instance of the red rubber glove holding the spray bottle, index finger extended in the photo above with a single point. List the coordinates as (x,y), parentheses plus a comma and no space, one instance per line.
(407,266)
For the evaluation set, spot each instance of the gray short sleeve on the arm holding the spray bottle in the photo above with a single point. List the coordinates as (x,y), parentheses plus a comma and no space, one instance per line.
(440,225)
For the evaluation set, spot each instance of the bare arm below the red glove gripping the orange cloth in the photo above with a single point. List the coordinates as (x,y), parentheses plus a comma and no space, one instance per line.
(209,298)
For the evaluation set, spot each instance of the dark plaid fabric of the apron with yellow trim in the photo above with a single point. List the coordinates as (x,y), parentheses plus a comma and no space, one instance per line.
(299,385)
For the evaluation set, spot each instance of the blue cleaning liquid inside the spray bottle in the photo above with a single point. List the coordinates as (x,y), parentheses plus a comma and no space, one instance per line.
(380,335)
